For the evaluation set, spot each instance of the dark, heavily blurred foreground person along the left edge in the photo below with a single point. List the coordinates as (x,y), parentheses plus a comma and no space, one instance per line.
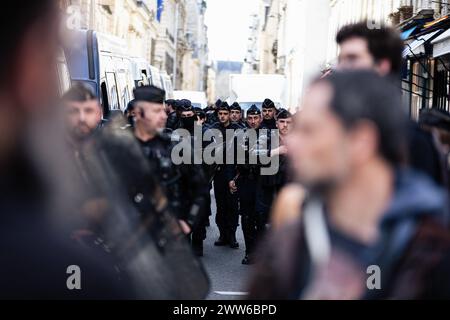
(36,253)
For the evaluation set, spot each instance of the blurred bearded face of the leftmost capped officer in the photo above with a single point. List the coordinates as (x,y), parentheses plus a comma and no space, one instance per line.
(83,118)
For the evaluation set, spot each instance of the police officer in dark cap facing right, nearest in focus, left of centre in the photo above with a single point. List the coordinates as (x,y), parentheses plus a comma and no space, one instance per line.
(183,184)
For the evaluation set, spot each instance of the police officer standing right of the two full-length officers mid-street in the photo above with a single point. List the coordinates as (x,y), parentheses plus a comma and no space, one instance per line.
(248,177)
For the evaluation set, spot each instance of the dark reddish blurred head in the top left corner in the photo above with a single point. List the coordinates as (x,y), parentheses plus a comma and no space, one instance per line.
(28,81)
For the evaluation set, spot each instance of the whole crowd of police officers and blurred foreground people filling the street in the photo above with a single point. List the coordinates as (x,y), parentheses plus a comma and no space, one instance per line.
(357,185)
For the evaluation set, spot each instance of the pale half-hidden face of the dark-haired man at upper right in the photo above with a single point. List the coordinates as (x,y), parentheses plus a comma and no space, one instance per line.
(355,54)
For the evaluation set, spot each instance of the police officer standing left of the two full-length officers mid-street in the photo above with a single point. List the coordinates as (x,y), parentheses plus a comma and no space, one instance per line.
(227,215)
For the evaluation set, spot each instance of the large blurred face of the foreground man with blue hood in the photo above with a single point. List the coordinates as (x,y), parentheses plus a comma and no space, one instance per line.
(318,144)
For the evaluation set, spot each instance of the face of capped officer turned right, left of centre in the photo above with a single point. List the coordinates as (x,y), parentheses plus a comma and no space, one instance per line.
(150,117)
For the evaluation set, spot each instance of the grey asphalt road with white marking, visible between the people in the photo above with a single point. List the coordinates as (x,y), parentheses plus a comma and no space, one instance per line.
(227,274)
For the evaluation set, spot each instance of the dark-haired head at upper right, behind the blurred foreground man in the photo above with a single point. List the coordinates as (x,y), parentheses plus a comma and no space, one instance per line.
(378,49)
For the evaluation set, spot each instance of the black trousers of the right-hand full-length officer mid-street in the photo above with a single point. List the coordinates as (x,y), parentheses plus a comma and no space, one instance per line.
(252,223)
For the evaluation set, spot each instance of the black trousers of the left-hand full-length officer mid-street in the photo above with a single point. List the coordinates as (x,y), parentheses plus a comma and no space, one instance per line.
(227,218)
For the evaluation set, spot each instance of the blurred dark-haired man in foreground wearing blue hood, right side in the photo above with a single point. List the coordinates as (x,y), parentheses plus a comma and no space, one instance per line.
(366,214)
